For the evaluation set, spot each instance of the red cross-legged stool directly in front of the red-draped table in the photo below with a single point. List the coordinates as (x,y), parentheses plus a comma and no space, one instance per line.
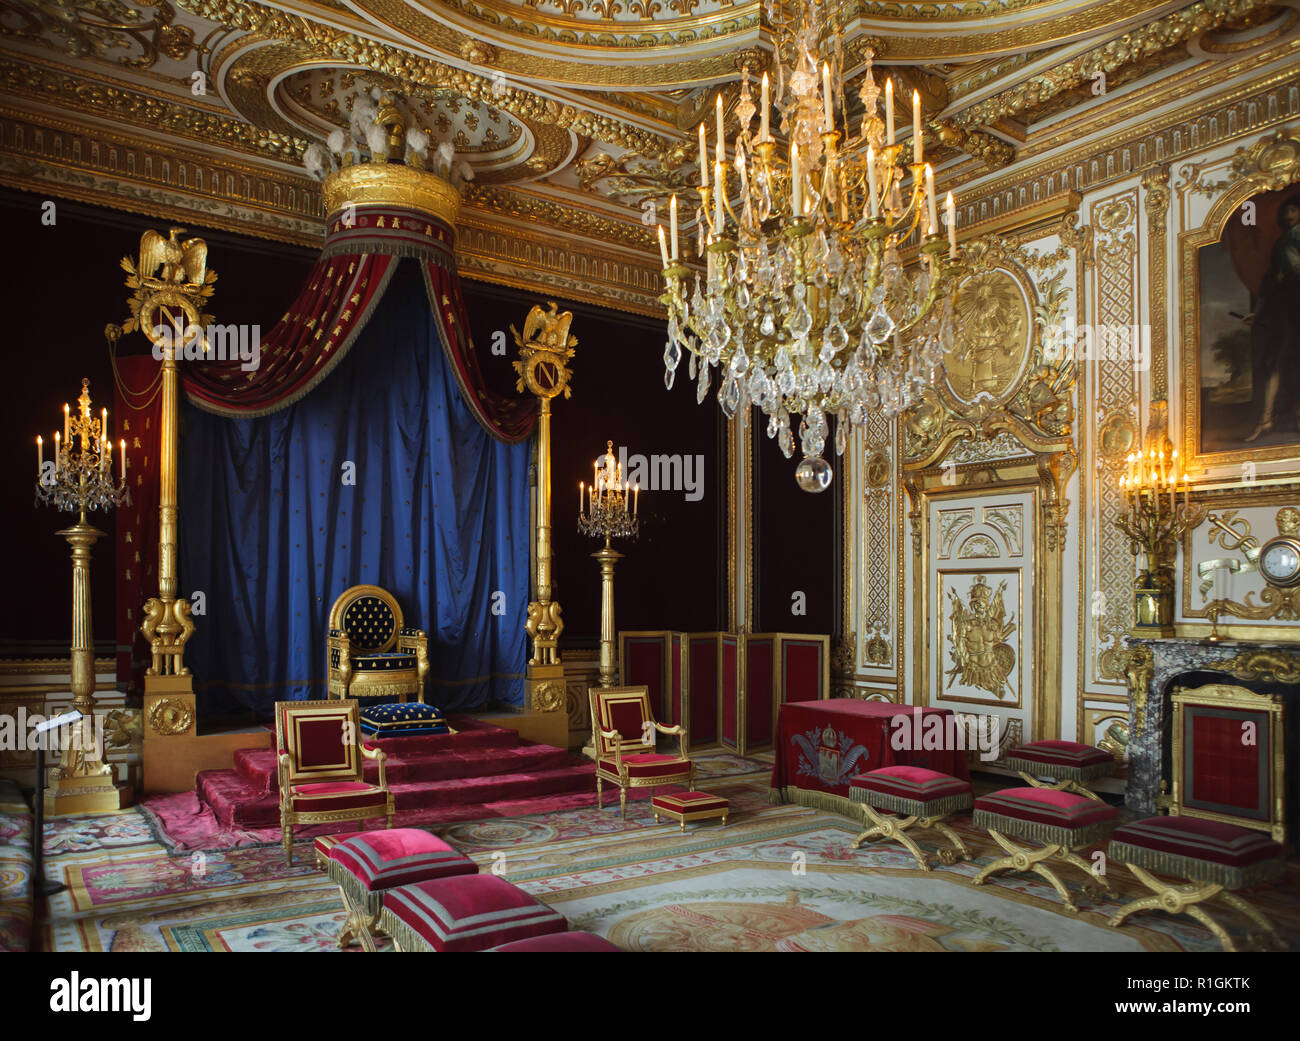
(925,799)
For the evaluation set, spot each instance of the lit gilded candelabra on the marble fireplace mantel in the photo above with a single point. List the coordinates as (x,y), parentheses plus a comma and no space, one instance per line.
(1155,518)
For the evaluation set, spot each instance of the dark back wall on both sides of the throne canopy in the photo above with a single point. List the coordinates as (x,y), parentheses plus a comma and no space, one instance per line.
(64,285)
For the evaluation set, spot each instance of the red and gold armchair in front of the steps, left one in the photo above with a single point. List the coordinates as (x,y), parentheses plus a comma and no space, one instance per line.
(320,754)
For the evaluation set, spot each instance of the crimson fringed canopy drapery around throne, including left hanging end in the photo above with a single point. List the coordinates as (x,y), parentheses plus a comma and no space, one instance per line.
(317,333)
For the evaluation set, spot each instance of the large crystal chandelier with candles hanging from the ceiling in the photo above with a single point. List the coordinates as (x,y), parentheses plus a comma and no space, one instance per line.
(807,309)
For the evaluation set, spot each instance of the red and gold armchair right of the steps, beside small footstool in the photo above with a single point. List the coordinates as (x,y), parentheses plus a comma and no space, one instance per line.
(623,734)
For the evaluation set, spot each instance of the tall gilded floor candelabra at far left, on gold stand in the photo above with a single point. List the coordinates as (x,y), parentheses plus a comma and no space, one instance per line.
(80,478)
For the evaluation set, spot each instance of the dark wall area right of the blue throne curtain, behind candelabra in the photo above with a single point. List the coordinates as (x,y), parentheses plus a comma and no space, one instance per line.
(673,576)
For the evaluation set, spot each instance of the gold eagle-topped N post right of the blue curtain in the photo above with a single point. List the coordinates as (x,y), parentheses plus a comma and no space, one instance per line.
(545,349)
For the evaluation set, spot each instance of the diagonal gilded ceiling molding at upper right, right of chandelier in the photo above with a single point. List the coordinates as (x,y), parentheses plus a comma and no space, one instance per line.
(1142,44)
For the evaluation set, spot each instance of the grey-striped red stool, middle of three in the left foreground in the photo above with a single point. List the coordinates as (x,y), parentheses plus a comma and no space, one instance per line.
(465,913)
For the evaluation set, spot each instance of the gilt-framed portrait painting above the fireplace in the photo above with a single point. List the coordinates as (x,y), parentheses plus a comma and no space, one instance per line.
(1242,329)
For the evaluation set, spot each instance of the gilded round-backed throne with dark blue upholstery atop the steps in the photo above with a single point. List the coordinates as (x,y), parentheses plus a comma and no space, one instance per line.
(370,653)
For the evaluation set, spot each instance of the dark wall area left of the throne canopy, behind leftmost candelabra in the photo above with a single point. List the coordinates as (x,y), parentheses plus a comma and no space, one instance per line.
(63,287)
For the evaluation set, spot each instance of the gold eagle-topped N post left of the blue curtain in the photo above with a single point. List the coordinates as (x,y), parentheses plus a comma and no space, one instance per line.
(172,284)
